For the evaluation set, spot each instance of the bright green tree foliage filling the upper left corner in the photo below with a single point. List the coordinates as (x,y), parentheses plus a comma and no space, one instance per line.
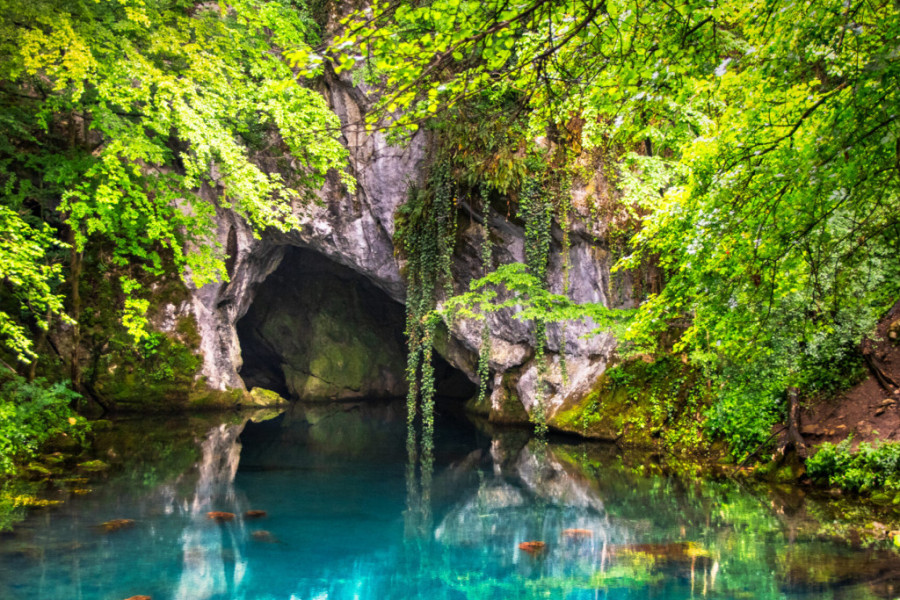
(117,113)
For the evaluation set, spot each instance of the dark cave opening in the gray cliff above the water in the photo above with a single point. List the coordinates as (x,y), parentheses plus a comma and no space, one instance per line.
(317,330)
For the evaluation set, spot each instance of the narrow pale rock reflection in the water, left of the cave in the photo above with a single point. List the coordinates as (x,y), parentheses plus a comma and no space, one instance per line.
(213,562)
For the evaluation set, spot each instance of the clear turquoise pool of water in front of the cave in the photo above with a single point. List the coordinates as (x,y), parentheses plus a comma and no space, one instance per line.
(347,518)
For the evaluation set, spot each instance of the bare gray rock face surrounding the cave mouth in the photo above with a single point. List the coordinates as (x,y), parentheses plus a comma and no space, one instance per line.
(356,229)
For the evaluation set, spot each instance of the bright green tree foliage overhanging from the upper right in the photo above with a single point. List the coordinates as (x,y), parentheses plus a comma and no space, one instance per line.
(760,143)
